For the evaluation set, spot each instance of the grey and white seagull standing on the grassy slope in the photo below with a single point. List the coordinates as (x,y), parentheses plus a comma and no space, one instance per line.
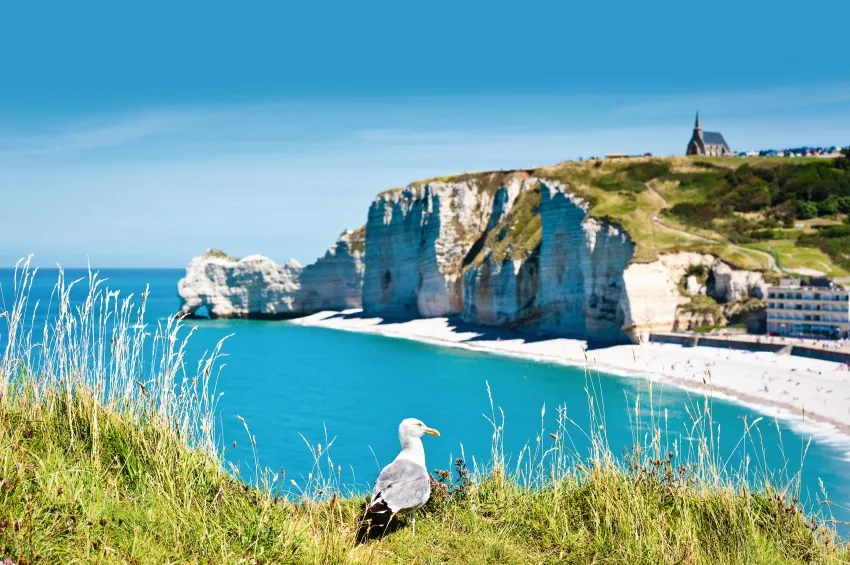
(403,486)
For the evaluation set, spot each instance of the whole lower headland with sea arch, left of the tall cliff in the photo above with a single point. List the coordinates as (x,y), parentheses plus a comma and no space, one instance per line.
(257,287)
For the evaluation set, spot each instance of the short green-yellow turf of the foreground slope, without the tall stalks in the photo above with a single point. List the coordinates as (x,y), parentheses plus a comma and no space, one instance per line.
(136,495)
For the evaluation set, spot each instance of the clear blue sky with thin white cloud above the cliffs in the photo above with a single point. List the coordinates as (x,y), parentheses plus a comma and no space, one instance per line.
(141,136)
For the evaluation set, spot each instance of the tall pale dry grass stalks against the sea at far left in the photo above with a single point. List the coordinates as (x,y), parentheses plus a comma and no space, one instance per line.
(103,354)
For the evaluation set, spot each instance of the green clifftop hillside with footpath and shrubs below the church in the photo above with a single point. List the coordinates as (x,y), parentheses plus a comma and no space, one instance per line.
(772,214)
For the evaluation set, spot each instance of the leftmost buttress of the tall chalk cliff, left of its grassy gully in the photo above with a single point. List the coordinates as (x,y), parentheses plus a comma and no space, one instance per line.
(418,238)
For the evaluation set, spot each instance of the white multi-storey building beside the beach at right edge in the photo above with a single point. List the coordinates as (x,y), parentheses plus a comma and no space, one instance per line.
(816,308)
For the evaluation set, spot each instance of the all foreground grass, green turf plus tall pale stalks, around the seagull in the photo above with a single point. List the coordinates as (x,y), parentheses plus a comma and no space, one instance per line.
(109,454)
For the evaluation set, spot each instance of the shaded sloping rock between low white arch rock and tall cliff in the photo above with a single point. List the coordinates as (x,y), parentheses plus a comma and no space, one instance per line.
(335,281)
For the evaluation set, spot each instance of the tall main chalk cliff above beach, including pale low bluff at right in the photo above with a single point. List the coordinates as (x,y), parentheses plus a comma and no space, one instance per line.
(510,249)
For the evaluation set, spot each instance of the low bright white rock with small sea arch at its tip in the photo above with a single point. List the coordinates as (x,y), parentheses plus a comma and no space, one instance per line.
(252,287)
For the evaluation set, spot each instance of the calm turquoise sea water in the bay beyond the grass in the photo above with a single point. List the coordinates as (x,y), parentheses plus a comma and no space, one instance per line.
(288,381)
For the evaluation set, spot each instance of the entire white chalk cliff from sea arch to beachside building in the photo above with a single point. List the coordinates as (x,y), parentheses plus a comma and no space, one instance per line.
(500,249)
